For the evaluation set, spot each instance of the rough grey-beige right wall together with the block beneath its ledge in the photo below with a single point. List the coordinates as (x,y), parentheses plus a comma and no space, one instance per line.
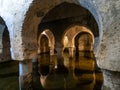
(108,58)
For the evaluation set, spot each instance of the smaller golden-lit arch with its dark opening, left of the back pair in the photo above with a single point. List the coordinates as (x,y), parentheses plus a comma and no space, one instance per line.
(46,42)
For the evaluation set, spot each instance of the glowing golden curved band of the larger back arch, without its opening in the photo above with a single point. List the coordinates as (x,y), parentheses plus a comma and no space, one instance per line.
(68,39)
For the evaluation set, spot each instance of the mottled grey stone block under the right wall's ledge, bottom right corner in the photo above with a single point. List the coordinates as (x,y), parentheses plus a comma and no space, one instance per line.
(111,80)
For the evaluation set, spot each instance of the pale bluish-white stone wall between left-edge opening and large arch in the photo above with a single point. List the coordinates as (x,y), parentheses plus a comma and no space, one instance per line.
(13,13)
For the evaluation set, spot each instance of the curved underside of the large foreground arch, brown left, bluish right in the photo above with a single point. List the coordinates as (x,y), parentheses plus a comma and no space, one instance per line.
(38,10)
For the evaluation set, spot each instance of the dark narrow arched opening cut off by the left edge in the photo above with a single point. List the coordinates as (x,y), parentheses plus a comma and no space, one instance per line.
(5,53)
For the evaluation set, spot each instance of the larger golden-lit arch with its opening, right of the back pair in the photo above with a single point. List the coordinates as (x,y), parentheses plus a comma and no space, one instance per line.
(77,39)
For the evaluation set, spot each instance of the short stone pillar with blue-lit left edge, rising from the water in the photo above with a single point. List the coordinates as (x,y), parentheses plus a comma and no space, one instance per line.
(25,75)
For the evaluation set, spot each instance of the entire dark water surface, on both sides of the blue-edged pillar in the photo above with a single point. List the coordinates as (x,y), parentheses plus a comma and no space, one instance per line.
(56,73)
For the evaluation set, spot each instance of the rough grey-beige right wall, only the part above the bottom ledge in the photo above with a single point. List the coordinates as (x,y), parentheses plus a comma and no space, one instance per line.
(108,57)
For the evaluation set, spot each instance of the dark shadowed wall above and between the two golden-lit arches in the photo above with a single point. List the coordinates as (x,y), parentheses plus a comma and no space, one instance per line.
(59,23)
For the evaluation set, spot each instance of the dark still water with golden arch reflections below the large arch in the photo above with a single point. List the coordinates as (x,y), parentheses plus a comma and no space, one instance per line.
(68,73)
